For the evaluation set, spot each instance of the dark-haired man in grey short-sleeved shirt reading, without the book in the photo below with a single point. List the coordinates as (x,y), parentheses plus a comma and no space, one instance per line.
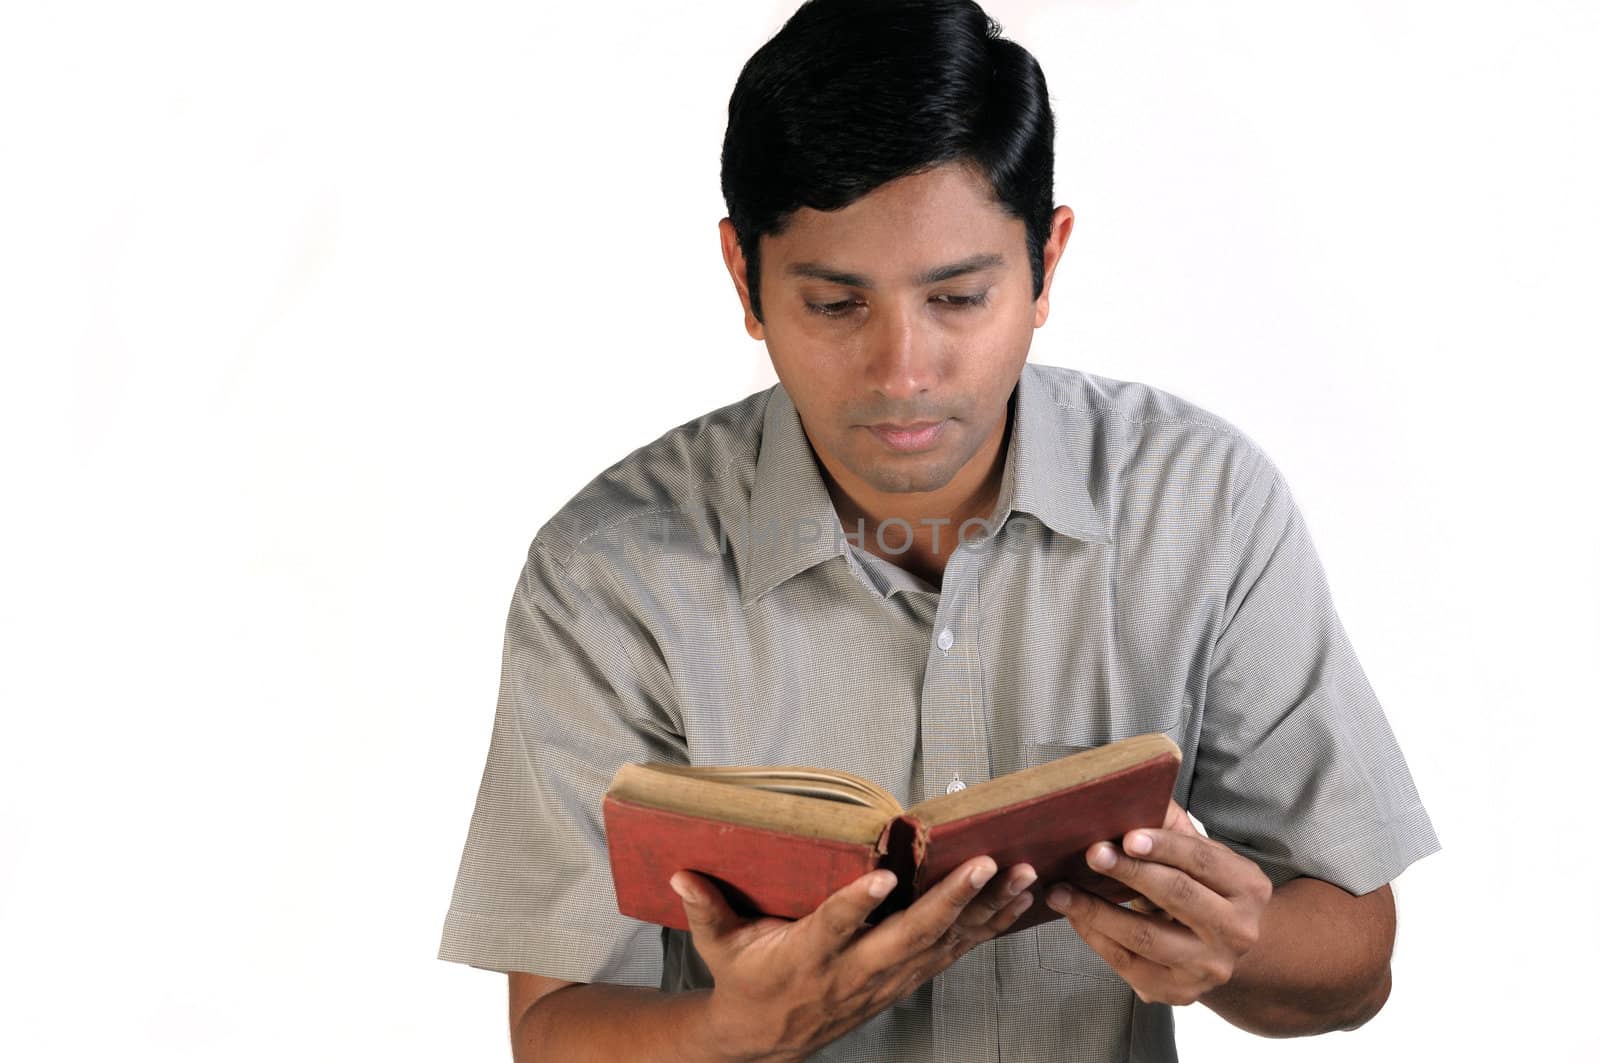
(922,560)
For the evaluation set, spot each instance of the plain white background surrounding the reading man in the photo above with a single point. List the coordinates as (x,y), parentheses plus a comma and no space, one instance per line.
(313,313)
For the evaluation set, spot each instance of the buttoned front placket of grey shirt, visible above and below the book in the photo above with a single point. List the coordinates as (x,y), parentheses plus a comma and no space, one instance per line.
(956,755)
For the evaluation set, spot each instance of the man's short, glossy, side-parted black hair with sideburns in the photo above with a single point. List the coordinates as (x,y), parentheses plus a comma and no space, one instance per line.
(854,94)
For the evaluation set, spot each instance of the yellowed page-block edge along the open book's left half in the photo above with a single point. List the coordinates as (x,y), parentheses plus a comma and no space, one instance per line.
(807,817)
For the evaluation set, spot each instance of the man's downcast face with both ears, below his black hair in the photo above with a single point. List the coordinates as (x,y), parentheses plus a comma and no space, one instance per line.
(865,339)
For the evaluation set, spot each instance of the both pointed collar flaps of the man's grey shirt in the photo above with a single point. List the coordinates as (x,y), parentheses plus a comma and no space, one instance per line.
(794,526)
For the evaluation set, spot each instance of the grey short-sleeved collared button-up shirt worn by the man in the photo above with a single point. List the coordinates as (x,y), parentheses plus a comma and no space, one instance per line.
(1145,569)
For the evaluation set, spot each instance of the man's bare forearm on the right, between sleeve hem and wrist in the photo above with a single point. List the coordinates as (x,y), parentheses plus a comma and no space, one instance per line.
(1319,965)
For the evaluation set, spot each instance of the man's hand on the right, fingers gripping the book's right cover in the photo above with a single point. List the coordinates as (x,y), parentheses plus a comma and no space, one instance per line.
(1209,905)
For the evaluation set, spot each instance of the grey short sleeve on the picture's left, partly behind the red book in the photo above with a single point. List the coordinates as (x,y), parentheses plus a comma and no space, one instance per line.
(535,893)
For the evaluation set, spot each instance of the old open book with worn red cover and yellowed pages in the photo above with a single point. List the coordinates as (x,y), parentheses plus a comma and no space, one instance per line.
(782,840)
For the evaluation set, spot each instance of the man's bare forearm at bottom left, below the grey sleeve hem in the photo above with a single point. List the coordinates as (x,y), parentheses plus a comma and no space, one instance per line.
(604,1024)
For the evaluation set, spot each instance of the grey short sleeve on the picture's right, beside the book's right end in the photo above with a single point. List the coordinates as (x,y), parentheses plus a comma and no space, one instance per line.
(1297,766)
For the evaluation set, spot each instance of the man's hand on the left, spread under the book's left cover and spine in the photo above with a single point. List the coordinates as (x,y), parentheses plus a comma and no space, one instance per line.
(786,989)
